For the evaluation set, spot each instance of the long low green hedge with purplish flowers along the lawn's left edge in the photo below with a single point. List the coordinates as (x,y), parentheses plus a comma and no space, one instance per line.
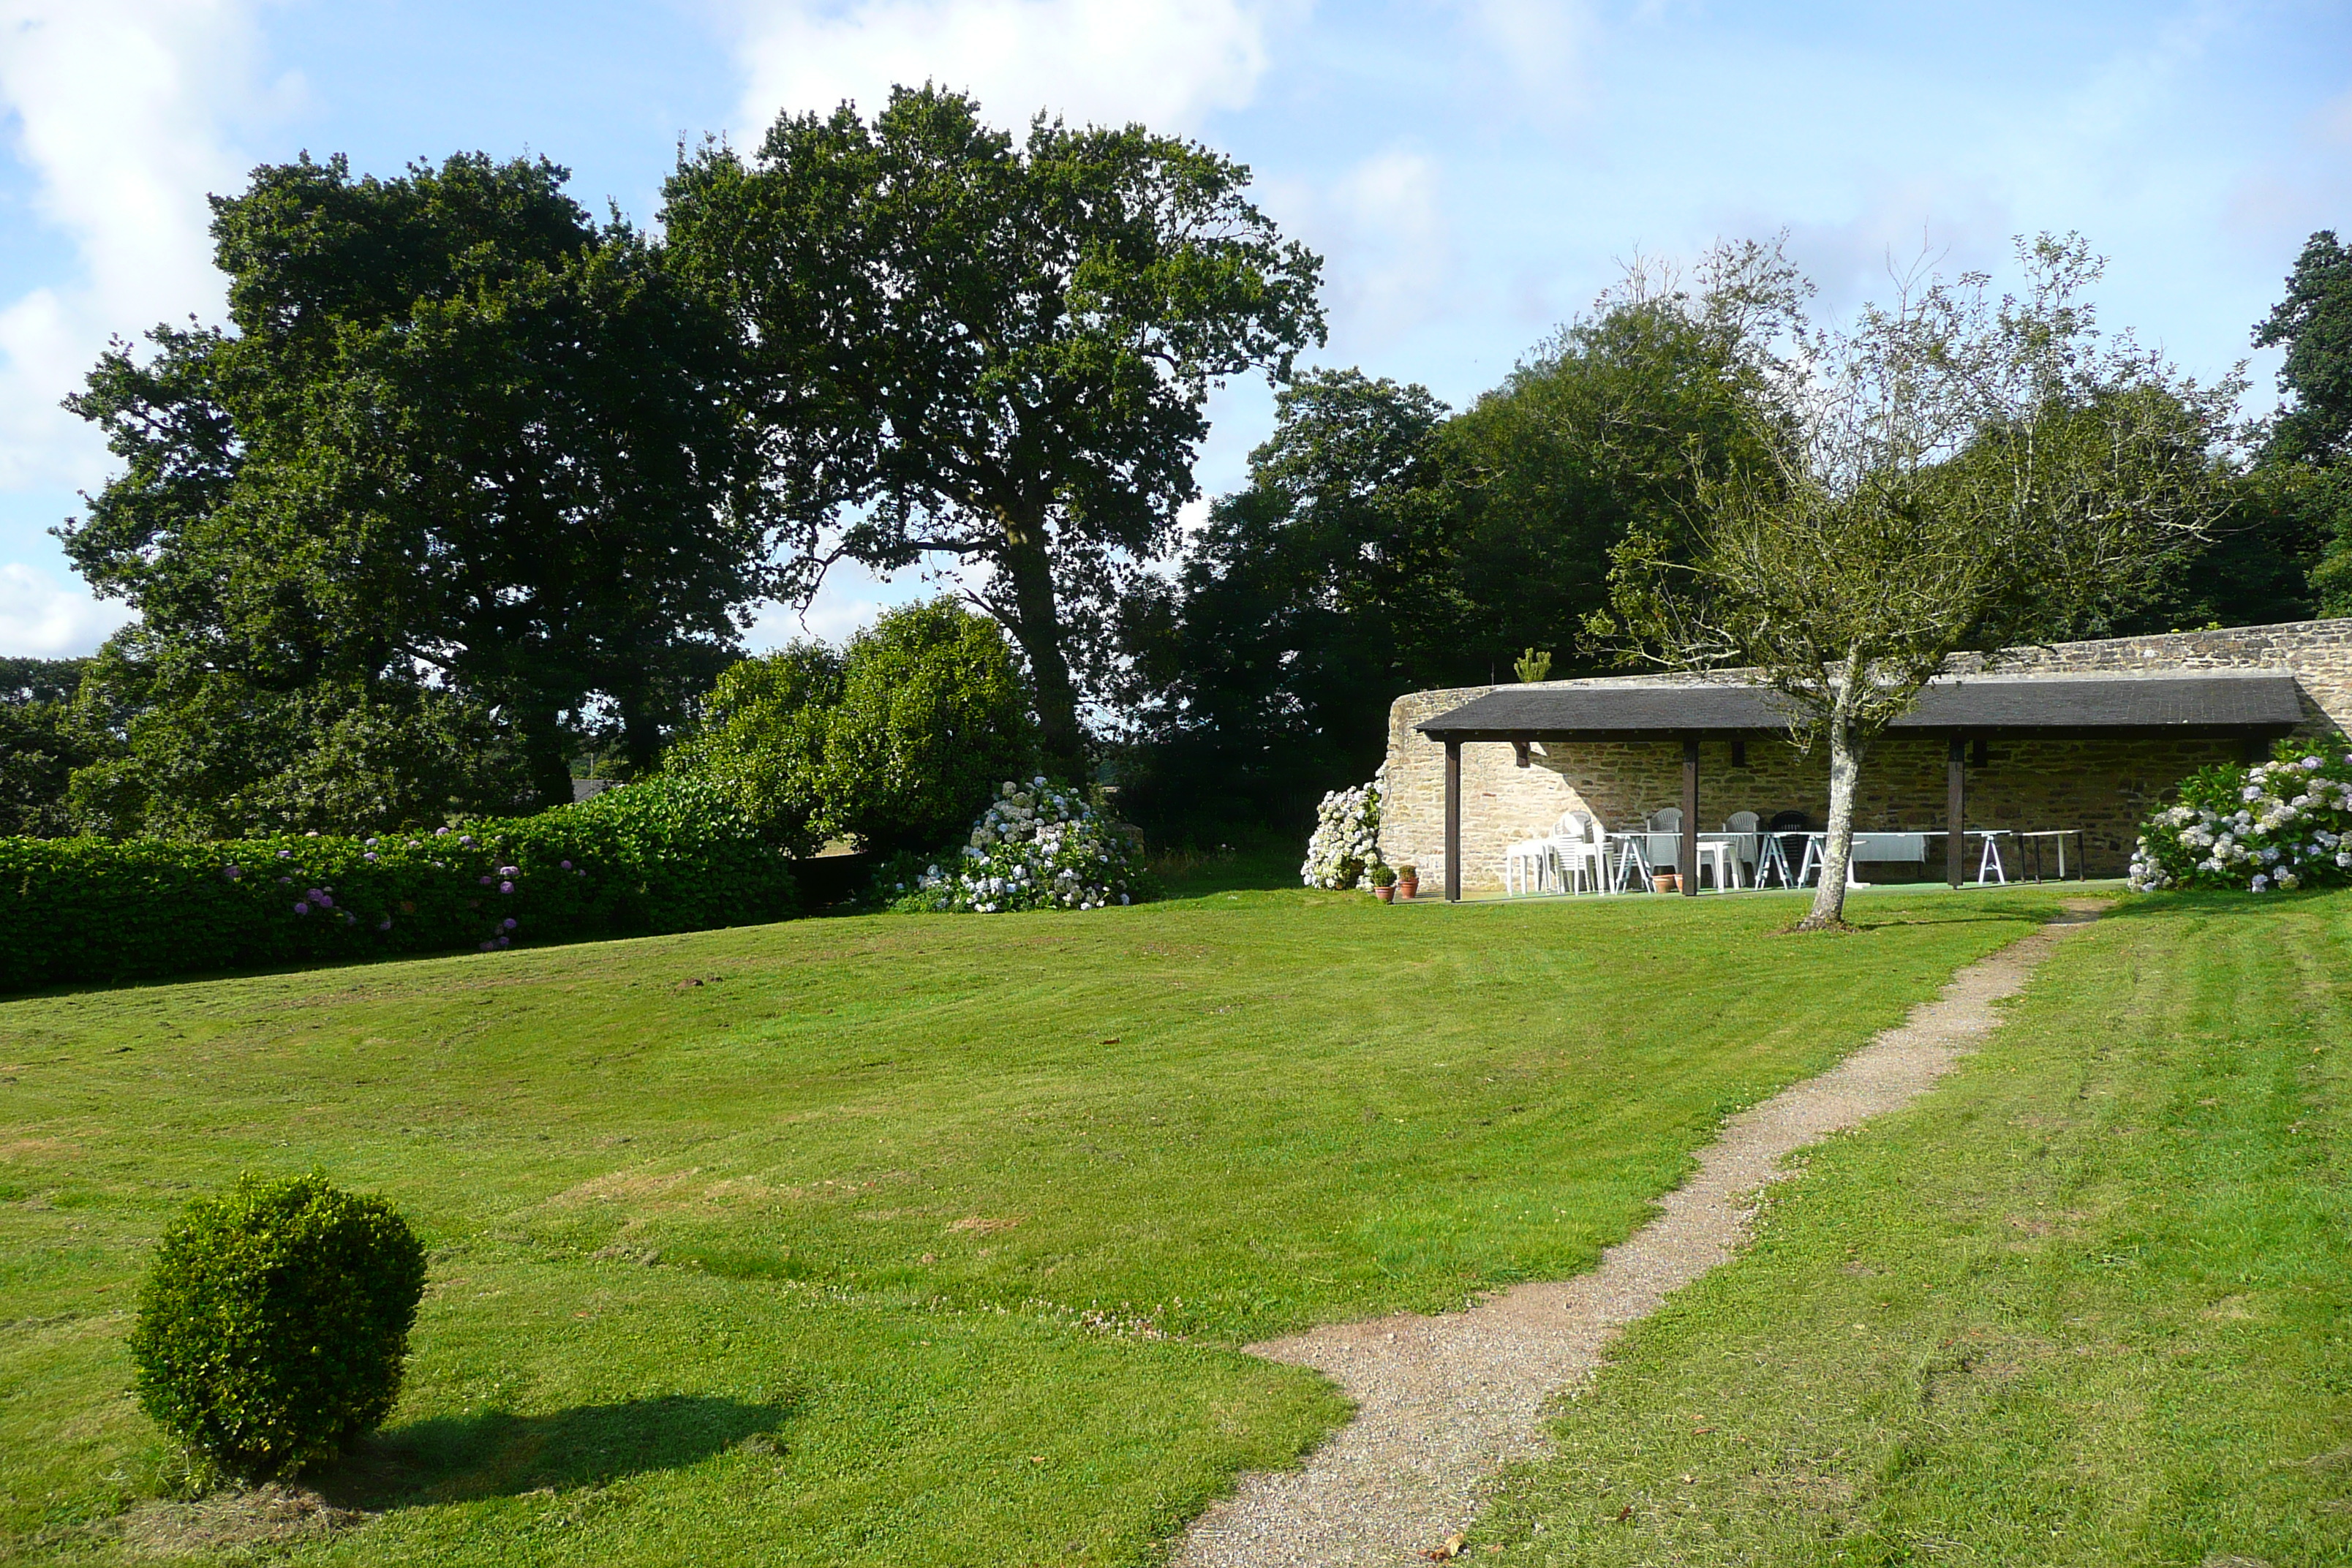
(667,855)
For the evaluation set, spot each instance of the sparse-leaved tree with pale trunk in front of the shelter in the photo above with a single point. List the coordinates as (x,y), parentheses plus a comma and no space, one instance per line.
(1953,474)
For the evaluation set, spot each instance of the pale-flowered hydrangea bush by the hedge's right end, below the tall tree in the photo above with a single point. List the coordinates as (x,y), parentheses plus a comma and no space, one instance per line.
(1038,847)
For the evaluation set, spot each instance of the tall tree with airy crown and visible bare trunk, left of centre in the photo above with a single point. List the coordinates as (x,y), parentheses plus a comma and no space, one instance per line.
(991,351)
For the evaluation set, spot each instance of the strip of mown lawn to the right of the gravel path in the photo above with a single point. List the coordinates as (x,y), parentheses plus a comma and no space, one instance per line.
(2083,1306)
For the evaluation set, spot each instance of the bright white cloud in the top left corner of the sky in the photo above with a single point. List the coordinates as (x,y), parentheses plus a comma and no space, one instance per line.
(116,109)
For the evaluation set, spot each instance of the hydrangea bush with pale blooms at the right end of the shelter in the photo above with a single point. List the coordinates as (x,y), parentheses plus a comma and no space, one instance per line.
(2283,824)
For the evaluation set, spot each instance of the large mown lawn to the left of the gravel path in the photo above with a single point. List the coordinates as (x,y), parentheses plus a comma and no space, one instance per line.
(897,1240)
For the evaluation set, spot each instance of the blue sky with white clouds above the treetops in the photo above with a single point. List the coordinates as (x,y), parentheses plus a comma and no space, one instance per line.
(1471,173)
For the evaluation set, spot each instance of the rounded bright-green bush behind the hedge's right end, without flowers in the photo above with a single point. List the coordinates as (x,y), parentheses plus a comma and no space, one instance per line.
(895,742)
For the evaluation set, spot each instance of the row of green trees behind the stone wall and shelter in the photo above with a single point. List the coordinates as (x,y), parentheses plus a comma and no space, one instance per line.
(1387,544)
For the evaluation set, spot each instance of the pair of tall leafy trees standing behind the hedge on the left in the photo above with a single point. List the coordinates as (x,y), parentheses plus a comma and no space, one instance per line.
(474,481)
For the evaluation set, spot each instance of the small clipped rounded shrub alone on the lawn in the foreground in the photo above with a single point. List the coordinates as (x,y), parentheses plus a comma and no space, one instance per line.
(276,1320)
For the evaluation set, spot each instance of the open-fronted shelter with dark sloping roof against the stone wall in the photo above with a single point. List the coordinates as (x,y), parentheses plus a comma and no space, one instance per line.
(2078,737)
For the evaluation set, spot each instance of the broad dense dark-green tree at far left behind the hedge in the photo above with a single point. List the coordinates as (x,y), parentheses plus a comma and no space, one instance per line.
(462,453)
